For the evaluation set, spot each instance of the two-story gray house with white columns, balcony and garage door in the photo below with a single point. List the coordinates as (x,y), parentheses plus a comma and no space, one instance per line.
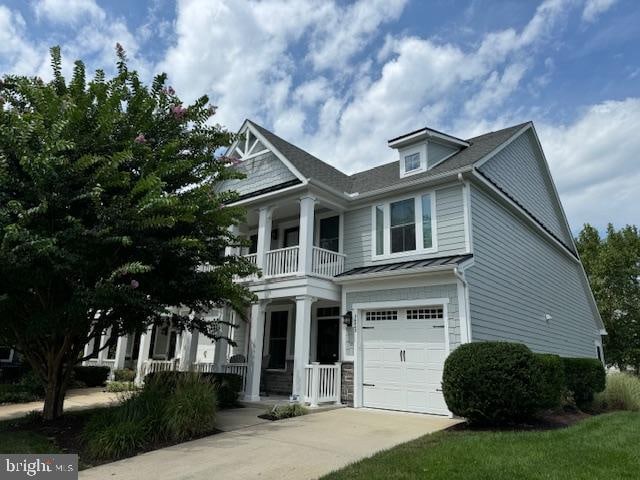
(370,280)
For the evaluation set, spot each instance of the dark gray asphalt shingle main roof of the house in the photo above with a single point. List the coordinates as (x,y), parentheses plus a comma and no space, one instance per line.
(388,174)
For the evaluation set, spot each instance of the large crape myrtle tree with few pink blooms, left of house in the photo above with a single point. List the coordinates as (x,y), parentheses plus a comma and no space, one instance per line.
(108,209)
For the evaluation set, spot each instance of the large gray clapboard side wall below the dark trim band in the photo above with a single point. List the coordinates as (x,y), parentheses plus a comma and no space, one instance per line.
(517,277)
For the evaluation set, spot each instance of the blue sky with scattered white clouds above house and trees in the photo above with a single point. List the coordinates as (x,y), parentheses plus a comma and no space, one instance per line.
(341,78)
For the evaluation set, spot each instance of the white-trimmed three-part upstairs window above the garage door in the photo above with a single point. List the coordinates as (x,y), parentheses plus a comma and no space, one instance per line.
(406,225)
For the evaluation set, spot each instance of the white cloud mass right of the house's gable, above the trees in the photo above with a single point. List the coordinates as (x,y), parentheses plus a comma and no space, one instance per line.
(596,164)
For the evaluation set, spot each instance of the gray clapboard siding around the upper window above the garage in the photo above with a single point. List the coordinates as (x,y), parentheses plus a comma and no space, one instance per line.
(450,230)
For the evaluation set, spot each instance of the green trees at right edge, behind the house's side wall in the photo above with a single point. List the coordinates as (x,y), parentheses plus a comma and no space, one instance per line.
(612,264)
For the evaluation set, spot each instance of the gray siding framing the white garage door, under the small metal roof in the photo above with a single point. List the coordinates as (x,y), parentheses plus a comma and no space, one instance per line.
(413,293)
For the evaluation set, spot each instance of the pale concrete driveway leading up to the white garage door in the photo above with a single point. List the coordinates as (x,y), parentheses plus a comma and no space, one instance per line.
(297,448)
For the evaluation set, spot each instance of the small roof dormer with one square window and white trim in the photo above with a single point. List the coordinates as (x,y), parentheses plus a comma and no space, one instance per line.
(423,149)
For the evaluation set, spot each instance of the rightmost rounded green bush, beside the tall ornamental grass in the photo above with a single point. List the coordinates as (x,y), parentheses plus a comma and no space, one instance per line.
(584,377)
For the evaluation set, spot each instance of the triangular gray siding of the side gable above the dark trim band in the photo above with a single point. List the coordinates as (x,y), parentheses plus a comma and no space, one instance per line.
(519,171)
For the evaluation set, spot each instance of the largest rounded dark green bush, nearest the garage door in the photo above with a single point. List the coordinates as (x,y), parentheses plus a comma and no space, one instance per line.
(492,382)
